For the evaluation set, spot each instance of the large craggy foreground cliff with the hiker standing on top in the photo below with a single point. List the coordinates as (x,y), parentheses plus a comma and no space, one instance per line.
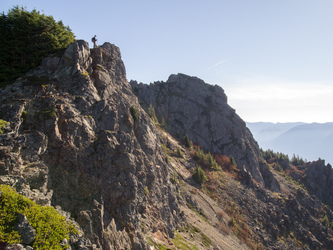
(79,147)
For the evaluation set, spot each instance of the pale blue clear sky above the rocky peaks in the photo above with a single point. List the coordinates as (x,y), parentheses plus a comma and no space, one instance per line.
(273,58)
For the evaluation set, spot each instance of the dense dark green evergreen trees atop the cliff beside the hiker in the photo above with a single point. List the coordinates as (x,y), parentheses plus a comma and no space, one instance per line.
(26,39)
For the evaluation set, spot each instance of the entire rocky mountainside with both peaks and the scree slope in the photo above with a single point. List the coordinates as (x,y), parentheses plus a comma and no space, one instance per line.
(79,137)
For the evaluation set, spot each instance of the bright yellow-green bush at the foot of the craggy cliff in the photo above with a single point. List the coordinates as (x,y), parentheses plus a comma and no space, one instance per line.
(51,227)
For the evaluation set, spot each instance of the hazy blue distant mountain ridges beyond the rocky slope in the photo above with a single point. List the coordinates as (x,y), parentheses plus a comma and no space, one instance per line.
(308,140)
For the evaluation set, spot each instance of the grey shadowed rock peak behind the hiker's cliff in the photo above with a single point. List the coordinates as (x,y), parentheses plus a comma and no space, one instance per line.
(190,106)
